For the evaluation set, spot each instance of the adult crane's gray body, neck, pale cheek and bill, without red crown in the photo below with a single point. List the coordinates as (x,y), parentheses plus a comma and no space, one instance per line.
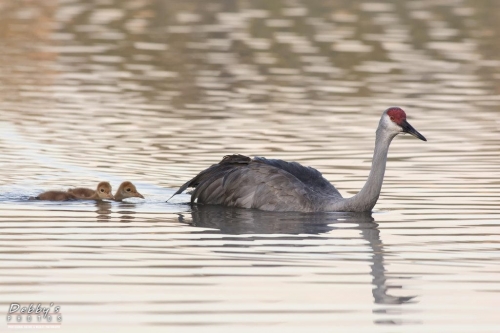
(276,185)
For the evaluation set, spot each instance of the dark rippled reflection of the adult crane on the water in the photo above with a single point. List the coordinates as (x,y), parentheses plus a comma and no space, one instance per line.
(248,221)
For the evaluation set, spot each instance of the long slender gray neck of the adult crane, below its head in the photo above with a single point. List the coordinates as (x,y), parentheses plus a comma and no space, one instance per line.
(366,199)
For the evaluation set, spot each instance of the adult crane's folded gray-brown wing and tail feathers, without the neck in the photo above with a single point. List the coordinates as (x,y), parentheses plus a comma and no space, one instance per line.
(238,181)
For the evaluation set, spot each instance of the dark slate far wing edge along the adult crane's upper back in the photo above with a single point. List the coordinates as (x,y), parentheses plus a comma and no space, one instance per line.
(311,177)
